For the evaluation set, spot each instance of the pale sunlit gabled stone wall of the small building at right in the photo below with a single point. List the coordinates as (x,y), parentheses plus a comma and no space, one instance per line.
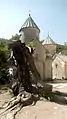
(58,67)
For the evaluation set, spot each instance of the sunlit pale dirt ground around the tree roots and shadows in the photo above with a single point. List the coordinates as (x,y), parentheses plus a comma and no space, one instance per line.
(42,110)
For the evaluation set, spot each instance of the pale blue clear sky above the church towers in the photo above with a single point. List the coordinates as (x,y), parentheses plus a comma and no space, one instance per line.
(49,15)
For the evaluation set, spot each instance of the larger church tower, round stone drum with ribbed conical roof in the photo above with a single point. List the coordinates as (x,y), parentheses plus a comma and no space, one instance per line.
(29,30)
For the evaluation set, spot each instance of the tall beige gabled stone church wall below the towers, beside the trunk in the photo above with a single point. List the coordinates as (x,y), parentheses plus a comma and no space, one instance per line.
(42,61)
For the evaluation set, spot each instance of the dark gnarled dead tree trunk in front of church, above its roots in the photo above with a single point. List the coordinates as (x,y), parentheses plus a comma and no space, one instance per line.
(25,64)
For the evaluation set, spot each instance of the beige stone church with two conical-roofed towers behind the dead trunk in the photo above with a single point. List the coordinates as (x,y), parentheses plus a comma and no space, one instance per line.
(29,31)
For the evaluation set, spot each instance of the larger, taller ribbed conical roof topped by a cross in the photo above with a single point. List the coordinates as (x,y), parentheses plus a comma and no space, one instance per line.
(29,23)
